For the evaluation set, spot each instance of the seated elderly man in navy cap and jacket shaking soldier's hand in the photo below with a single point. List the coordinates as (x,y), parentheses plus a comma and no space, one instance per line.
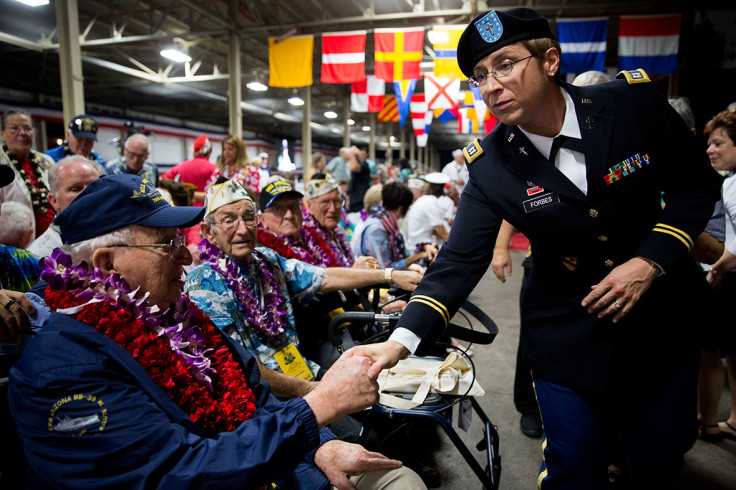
(129,385)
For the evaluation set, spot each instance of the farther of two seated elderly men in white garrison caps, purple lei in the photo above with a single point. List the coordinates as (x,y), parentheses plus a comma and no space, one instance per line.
(322,216)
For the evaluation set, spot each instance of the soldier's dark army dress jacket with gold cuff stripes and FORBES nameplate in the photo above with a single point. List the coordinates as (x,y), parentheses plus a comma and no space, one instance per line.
(578,239)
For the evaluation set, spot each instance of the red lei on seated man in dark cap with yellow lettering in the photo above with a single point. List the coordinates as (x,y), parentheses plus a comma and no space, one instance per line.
(313,249)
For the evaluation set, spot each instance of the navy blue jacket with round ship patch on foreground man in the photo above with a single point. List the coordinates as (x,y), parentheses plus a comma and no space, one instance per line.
(89,416)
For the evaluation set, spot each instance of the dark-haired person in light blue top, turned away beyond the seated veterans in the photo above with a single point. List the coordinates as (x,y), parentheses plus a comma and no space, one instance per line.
(379,235)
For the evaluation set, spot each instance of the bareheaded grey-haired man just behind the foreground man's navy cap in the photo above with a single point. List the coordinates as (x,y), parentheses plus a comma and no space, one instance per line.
(67,178)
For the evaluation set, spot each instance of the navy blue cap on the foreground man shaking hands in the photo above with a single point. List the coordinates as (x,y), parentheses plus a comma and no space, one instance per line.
(114,201)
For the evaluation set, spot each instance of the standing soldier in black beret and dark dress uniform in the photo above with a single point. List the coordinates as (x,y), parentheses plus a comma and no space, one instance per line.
(580,171)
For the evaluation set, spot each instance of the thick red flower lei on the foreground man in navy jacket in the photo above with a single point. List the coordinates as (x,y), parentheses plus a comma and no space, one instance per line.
(230,403)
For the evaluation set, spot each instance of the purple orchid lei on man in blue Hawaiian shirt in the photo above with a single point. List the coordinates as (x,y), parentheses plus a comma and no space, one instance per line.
(268,323)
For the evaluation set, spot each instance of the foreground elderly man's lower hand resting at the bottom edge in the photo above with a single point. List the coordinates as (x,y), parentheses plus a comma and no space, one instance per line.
(339,459)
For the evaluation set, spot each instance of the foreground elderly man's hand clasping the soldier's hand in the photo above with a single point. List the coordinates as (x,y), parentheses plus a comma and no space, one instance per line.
(345,388)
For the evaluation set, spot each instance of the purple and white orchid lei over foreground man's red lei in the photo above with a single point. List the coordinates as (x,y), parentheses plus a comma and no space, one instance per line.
(176,323)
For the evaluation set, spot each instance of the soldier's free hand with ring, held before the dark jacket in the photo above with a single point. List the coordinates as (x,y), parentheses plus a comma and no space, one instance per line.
(619,291)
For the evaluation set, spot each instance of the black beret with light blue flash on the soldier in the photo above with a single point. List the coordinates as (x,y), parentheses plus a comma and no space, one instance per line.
(491,31)
